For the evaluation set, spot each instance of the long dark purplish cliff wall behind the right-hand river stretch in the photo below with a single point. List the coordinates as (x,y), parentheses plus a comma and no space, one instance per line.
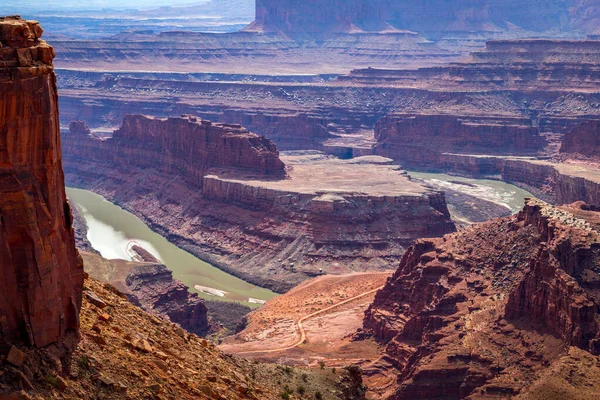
(452,134)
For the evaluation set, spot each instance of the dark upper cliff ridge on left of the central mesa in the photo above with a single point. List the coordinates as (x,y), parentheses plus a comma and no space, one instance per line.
(186,146)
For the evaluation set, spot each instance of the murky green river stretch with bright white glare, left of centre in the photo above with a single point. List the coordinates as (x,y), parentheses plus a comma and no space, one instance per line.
(112,230)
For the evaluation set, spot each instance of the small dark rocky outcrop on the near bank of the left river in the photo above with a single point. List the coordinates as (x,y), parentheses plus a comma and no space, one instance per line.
(154,289)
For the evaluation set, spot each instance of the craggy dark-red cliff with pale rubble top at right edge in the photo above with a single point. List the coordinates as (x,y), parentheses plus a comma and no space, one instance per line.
(561,288)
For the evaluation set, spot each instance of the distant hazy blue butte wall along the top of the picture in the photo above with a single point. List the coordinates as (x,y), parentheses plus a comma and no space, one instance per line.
(434,19)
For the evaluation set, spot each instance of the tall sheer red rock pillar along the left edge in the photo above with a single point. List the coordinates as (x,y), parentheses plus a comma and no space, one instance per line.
(41,275)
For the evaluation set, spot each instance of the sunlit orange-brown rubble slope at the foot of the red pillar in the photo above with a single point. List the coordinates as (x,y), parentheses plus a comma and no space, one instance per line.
(125,353)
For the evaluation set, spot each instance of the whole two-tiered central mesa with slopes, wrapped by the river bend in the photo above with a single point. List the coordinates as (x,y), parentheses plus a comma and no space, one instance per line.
(225,198)
